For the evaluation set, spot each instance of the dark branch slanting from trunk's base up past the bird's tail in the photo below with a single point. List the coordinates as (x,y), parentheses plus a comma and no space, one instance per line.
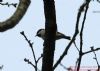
(73,38)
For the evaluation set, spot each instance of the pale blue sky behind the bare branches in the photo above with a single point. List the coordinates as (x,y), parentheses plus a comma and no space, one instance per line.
(14,48)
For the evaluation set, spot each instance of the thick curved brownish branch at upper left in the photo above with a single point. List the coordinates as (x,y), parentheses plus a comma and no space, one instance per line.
(16,17)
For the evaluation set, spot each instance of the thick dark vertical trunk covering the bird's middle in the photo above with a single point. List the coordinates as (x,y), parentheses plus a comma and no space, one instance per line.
(50,34)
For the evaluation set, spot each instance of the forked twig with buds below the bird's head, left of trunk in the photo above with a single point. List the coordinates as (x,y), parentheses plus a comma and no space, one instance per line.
(34,56)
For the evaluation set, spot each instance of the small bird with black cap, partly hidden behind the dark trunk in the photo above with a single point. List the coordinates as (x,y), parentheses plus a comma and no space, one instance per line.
(41,34)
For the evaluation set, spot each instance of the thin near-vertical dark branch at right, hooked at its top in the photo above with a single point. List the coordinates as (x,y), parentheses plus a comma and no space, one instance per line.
(85,5)
